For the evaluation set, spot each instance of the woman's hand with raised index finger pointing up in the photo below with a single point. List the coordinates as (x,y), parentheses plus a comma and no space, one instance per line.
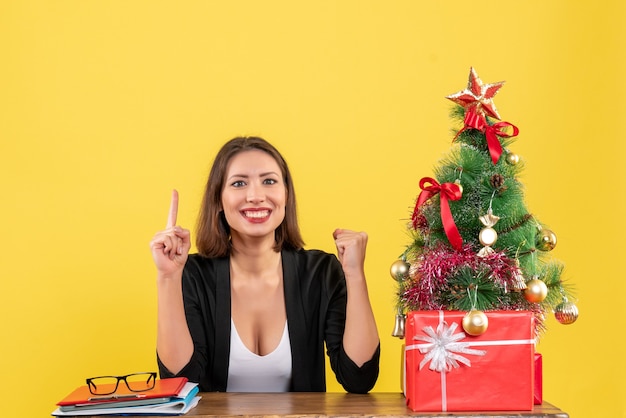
(170,247)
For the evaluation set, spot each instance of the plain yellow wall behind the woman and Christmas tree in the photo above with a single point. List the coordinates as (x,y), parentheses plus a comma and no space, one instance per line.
(105,106)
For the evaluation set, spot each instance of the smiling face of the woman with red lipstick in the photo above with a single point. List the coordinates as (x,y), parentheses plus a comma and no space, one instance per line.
(254,195)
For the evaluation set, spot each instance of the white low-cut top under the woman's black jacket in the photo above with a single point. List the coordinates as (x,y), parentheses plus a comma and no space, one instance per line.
(249,372)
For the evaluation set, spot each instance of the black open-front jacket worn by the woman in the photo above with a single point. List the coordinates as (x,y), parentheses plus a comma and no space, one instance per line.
(315,300)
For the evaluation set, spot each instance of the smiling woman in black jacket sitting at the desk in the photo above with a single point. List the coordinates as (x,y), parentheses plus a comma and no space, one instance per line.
(252,310)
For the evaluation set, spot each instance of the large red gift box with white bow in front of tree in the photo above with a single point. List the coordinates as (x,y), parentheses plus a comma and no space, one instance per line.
(449,370)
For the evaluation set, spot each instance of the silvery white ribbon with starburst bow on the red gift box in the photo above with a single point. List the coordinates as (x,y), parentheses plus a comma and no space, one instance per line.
(443,348)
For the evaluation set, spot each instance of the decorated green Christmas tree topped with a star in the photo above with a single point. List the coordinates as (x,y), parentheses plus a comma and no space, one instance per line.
(475,246)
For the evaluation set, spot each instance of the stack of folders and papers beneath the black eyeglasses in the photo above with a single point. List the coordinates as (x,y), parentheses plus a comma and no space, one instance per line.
(175,396)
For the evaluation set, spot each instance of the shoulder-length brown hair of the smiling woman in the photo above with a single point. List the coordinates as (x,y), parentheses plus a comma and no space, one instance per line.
(212,230)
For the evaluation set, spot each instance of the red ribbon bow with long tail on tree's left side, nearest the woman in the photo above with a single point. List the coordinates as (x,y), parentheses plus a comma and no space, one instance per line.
(447,191)
